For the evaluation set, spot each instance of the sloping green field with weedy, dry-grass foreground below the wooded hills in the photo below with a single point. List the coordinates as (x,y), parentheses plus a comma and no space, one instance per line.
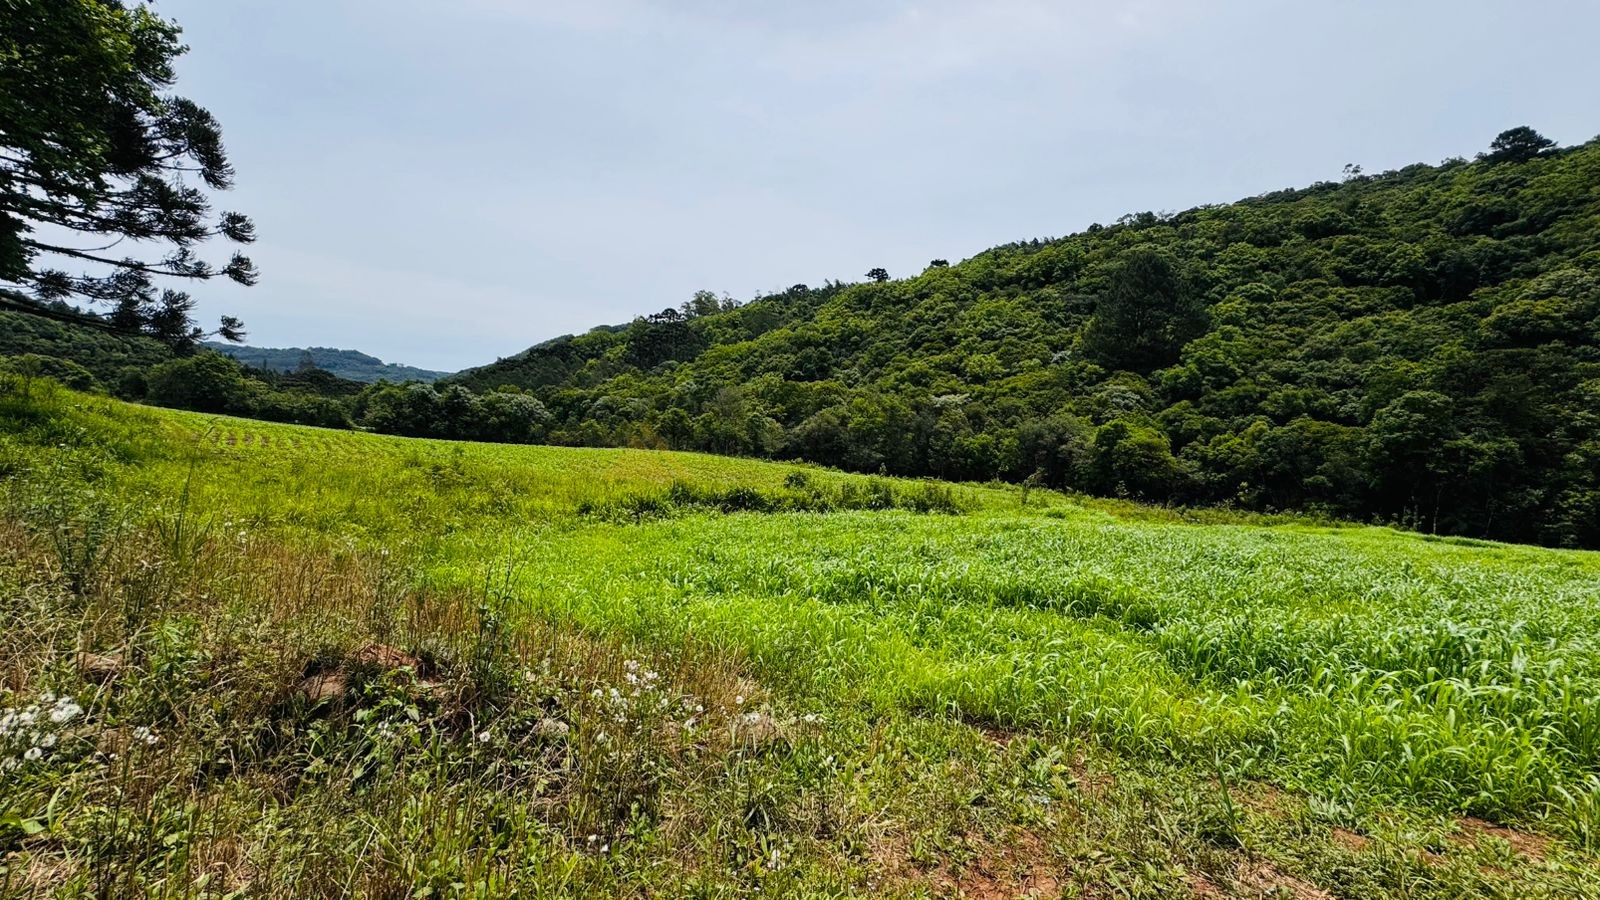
(246,659)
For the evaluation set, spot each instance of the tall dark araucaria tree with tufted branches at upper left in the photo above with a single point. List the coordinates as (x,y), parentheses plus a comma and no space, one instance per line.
(98,159)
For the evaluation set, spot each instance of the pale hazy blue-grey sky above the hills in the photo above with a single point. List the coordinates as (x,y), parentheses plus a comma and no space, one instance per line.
(447,183)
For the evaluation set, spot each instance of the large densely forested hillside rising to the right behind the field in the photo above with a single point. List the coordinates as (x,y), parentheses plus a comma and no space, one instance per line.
(1417,347)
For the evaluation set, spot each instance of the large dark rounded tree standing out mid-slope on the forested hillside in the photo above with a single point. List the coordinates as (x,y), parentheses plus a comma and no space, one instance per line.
(1146,316)
